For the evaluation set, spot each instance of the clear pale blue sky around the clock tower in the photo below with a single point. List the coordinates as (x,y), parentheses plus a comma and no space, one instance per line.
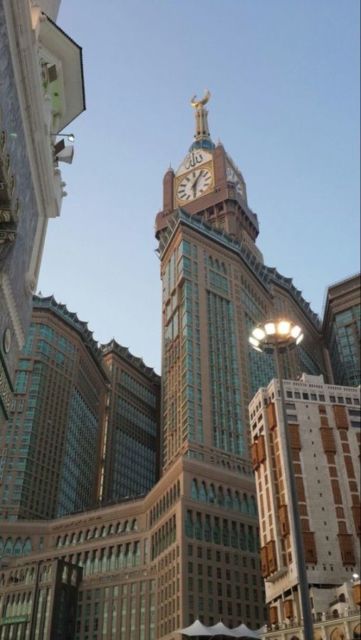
(285,80)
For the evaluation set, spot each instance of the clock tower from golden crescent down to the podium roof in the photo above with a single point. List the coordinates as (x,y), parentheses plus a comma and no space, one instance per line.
(215,289)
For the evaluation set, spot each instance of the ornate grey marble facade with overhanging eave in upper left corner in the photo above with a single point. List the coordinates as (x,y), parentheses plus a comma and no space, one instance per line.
(41,92)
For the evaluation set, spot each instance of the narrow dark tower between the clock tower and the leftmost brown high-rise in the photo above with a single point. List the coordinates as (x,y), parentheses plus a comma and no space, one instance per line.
(131,434)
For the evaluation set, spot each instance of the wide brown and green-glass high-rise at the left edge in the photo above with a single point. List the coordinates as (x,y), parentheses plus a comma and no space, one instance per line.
(50,447)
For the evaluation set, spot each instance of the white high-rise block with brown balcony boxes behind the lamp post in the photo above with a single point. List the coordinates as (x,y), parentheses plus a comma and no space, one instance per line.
(323,423)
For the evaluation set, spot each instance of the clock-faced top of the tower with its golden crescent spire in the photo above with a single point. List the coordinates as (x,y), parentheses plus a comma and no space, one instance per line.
(209,184)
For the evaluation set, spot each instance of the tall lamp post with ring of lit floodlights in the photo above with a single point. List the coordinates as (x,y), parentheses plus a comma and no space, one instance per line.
(278,337)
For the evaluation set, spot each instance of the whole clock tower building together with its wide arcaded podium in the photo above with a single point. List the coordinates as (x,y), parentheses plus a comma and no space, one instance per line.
(190,548)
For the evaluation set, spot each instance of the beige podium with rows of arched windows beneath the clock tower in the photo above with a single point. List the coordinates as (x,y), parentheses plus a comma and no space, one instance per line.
(152,565)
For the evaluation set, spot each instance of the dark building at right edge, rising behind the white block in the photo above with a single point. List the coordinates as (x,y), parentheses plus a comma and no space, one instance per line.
(342,330)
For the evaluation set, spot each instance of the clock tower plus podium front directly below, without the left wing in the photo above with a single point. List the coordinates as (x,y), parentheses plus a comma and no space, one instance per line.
(215,289)
